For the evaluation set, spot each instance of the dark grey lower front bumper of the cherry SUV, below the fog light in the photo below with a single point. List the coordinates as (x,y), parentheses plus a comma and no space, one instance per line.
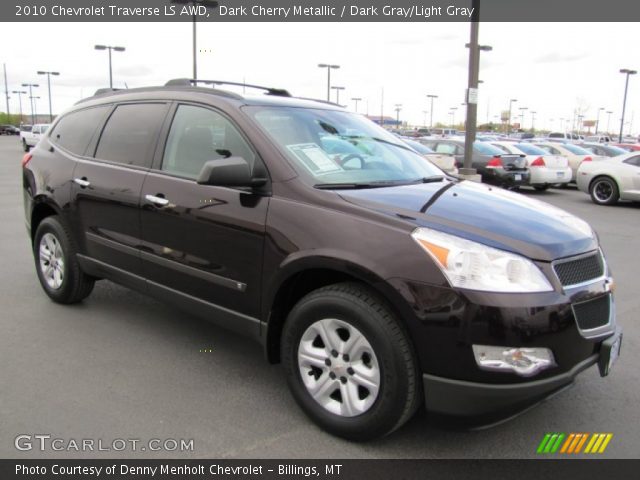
(491,403)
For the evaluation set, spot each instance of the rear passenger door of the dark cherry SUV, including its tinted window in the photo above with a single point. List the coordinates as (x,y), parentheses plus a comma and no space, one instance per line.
(107,184)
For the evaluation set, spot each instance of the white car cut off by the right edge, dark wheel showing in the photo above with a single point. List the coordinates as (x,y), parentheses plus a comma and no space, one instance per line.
(612,179)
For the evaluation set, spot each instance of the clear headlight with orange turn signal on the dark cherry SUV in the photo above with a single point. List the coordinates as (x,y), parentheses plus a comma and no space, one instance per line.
(475,266)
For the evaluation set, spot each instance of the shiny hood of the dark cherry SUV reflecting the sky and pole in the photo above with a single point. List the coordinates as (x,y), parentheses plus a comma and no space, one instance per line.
(489,215)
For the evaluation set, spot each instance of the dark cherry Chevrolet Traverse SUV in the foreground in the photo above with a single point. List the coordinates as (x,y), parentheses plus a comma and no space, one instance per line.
(379,282)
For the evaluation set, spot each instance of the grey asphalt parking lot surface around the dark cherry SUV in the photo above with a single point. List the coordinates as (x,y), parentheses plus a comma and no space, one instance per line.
(120,365)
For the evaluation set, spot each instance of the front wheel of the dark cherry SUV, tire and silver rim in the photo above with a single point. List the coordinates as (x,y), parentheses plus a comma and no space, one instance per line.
(381,372)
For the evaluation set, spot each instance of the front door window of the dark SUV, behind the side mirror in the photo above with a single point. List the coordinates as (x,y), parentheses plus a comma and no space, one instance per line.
(198,135)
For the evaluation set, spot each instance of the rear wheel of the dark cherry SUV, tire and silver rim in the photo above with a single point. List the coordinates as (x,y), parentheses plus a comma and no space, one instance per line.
(64,281)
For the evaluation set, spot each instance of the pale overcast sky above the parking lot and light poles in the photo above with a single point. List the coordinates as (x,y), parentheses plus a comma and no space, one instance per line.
(551,68)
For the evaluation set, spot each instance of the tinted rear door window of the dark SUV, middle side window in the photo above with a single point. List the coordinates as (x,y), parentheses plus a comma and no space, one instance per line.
(130,134)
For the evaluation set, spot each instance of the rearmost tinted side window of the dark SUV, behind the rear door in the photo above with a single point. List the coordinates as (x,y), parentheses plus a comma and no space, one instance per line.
(74,131)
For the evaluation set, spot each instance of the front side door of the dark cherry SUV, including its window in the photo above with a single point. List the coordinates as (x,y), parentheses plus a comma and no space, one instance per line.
(203,241)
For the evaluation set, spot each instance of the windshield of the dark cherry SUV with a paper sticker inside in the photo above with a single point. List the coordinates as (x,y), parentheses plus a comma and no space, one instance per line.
(339,148)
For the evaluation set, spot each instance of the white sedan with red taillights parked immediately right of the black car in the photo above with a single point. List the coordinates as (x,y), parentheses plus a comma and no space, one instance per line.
(545,169)
